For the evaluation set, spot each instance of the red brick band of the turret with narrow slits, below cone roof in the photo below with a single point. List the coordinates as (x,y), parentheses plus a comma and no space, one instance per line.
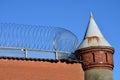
(96,57)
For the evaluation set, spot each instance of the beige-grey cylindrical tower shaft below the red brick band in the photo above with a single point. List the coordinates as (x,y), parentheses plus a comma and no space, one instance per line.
(98,74)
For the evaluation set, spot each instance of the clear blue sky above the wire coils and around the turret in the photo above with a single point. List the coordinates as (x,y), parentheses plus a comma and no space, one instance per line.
(69,14)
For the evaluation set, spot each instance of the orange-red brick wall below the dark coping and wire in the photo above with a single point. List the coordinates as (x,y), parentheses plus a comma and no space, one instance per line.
(39,70)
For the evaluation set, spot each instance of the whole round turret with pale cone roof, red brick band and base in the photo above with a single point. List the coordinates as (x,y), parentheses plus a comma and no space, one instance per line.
(96,53)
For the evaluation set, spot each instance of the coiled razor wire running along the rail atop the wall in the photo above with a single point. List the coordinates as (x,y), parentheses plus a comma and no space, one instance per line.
(37,37)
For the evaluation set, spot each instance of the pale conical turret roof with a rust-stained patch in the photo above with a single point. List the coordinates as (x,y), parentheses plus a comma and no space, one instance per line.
(93,36)
